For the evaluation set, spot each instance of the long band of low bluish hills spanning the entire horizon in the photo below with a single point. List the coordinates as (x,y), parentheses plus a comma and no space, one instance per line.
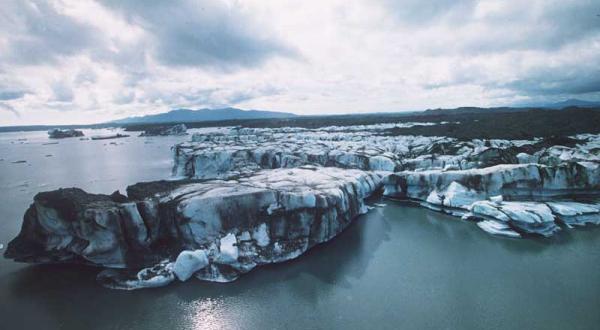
(259,118)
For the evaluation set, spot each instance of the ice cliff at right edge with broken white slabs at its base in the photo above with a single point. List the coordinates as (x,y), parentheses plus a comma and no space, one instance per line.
(511,199)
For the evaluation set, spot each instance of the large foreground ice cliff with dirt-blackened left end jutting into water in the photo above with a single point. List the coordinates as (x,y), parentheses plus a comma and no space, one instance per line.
(226,227)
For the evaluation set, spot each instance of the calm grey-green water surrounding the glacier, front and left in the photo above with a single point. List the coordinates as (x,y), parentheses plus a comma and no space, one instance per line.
(397,267)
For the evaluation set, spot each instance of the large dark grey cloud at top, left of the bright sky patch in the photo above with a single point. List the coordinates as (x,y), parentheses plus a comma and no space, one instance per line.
(200,33)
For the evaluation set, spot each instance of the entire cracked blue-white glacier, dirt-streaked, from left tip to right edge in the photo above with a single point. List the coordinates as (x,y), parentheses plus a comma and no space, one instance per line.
(243,197)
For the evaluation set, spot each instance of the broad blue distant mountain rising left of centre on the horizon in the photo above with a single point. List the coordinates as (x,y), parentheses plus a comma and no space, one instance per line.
(187,115)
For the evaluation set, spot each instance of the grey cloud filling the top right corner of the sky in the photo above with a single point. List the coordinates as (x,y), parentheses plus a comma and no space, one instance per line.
(517,25)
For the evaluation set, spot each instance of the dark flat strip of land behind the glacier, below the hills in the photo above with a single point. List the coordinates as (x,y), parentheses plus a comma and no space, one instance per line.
(498,123)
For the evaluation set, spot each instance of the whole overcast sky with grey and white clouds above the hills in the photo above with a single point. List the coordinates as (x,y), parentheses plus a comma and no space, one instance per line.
(85,61)
